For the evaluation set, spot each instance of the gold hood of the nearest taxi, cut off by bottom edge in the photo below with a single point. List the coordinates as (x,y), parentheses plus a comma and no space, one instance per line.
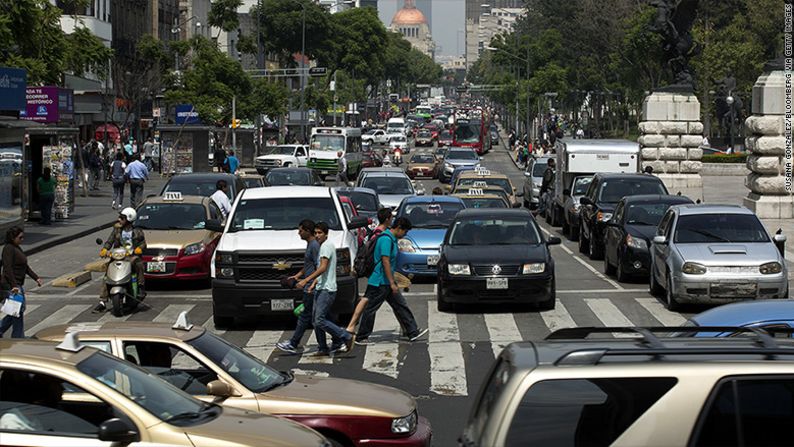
(240,427)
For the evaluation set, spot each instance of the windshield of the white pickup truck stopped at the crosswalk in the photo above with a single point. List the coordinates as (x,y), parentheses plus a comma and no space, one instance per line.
(283,213)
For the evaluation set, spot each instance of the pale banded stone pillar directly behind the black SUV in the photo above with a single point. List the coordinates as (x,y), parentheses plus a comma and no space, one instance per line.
(670,137)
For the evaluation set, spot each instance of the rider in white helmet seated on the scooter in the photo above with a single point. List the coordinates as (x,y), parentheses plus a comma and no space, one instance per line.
(132,238)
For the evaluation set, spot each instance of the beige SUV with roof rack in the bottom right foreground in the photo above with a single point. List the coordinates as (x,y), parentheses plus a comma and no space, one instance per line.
(646,390)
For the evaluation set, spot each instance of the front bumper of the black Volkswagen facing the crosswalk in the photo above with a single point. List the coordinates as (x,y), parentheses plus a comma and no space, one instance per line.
(525,289)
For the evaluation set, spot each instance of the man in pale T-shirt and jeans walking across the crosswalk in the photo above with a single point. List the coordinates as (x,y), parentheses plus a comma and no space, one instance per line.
(324,281)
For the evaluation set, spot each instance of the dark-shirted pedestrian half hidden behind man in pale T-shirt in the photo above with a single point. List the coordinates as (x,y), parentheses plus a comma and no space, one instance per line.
(310,257)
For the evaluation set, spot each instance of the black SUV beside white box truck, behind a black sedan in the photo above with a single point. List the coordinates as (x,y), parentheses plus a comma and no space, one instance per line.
(597,206)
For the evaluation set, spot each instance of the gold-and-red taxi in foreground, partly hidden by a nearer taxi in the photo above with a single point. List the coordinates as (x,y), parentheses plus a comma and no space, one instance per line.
(202,364)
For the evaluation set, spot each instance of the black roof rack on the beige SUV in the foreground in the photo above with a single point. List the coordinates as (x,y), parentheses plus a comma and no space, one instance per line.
(651,345)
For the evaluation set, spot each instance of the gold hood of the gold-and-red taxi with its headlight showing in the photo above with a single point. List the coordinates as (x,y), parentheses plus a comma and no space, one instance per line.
(312,395)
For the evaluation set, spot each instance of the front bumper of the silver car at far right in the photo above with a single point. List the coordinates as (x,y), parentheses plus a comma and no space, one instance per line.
(727,289)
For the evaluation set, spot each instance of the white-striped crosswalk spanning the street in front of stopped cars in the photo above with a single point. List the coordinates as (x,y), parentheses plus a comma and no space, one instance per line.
(456,345)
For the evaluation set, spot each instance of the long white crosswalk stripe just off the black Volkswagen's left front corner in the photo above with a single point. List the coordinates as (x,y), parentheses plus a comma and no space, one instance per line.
(447,366)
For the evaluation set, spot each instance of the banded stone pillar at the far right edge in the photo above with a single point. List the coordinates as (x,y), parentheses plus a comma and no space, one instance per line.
(766,142)
